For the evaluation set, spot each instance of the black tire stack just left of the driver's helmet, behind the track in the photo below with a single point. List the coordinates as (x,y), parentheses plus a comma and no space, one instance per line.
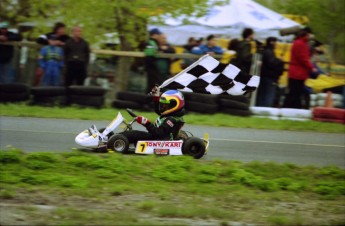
(133,100)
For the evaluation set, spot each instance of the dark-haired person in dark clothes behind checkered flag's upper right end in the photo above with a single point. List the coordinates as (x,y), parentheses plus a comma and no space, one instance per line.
(243,59)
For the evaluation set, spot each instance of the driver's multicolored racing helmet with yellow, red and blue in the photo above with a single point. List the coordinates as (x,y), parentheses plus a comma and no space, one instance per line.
(171,101)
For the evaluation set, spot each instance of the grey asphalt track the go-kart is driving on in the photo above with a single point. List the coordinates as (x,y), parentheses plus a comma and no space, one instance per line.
(301,148)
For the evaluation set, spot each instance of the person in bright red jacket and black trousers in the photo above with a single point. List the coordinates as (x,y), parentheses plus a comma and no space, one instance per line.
(299,69)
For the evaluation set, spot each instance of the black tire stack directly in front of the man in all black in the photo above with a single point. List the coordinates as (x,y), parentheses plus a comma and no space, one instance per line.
(92,96)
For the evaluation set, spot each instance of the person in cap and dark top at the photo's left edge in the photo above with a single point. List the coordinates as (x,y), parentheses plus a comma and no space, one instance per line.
(6,53)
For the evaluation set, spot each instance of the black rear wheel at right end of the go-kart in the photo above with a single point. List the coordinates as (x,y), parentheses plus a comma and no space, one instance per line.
(194,146)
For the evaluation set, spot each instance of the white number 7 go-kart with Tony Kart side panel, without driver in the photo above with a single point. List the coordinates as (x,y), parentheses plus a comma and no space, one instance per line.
(105,140)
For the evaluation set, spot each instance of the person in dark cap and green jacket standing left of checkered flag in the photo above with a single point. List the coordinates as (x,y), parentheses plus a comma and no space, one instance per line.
(150,51)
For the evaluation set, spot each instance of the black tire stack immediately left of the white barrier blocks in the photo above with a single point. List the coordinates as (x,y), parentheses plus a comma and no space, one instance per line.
(234,105)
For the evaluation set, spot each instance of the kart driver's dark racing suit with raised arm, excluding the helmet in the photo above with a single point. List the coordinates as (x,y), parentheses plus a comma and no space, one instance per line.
(166,127)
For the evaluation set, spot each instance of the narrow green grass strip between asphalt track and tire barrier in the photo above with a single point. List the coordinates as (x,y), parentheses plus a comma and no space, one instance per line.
(22,110)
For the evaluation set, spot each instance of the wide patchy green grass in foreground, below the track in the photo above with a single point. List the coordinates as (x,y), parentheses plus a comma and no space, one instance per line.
(148,190)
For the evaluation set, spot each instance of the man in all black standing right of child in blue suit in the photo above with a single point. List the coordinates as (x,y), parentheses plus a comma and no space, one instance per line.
(77,56)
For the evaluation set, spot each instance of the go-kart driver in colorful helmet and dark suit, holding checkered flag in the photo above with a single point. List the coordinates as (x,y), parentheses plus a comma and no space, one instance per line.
(170,108)
